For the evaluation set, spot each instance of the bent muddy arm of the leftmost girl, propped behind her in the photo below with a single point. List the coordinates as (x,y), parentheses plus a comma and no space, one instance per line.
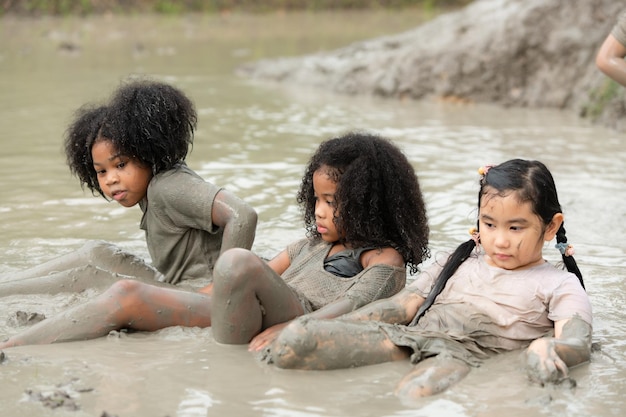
(237,218)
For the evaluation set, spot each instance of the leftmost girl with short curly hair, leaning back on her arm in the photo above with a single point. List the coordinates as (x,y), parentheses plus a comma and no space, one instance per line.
(132,150)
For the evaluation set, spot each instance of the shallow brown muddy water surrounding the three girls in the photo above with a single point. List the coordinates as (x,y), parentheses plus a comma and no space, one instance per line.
(254,139)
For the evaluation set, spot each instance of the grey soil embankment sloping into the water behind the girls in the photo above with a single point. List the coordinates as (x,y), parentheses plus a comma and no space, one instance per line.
(533,53)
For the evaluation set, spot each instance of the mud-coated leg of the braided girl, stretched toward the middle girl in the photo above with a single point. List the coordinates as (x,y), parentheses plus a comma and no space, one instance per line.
(330,344)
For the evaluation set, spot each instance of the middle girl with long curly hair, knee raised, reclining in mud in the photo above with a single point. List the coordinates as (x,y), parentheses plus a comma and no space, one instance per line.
(366,223)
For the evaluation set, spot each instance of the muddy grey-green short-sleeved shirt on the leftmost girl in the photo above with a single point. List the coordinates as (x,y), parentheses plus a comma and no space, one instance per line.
(181,237)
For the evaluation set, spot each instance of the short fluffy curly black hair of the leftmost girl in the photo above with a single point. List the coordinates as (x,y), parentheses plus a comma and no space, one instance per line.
(150,121)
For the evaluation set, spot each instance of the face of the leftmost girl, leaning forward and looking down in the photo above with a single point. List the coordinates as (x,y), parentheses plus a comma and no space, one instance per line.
(121,178)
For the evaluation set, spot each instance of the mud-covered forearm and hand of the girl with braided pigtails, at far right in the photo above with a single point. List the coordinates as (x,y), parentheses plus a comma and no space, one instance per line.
(548,359)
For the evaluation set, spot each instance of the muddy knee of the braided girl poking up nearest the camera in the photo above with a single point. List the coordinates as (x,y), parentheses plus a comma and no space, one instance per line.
(432,376)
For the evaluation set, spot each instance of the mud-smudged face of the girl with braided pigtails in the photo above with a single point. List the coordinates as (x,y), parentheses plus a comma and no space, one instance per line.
(510,233)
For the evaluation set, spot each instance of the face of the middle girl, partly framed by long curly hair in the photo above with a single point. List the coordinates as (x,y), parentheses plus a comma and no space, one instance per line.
(324,189)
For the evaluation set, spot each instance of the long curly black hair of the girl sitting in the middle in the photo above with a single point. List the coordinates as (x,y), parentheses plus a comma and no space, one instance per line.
(378,197)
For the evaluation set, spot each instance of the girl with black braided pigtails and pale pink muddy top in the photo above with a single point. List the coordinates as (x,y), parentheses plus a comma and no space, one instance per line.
(494,293)
